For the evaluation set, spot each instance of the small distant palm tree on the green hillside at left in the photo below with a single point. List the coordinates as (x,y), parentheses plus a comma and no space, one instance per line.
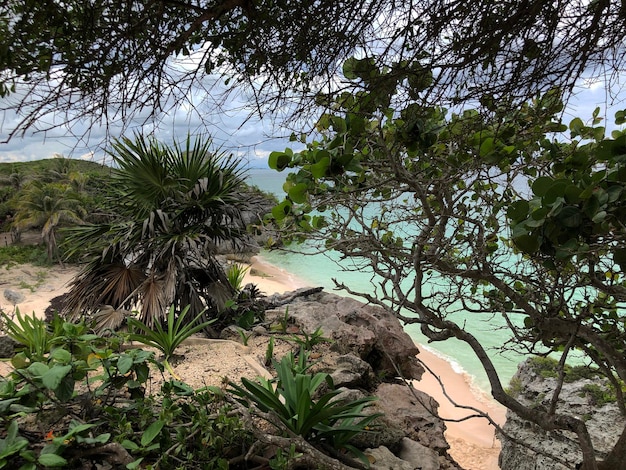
(48,206)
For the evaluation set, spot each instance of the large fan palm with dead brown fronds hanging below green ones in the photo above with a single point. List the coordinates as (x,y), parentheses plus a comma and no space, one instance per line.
(173,206)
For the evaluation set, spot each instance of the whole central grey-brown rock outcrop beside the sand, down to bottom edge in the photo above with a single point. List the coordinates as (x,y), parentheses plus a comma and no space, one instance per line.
(369,350)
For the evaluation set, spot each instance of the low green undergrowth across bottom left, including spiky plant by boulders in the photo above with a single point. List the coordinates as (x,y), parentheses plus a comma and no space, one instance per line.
(70,392)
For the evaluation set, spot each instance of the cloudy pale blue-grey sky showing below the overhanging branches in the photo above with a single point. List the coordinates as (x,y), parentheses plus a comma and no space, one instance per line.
(251,139)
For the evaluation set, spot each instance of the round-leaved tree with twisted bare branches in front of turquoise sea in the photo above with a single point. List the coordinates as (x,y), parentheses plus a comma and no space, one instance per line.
(503,211)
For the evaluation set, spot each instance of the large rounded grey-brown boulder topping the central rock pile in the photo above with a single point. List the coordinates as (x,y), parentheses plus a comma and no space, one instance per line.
(367,331)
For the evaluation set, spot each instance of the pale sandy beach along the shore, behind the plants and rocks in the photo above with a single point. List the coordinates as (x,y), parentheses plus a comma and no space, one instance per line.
(472,441)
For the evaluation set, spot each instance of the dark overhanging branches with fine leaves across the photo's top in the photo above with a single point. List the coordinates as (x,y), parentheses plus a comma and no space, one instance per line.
(101,60)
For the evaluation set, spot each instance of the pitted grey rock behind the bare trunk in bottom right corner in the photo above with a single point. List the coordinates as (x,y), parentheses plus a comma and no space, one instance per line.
(557,450)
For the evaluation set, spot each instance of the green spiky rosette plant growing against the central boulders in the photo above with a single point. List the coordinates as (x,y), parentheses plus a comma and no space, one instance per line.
(291,397)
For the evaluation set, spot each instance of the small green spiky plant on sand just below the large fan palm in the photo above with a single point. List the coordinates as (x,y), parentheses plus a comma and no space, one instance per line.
(167,339)
